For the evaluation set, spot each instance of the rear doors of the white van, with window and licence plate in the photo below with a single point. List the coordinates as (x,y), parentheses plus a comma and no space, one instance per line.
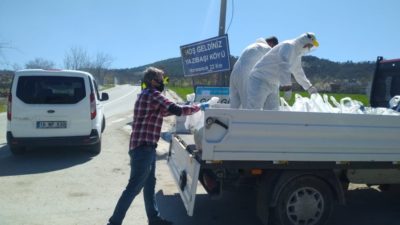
(49,105)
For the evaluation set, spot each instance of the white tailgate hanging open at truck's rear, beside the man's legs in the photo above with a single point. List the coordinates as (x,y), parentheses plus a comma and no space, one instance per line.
(185,169)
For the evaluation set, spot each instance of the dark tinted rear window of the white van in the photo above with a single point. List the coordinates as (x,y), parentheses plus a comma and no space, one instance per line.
(50,89)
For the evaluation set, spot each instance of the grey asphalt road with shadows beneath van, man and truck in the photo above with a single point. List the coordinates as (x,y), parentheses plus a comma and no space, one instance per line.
(71,187)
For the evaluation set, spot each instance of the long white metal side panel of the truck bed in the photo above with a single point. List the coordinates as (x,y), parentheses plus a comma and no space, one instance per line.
(256,135)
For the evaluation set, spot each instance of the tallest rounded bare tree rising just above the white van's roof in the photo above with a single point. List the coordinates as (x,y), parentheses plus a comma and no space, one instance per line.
(76,59)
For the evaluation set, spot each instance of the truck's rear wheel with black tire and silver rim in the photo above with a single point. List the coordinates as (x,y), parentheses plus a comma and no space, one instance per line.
(305,200)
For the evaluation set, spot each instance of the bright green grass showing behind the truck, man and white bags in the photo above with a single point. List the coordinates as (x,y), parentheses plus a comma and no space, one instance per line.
(183,91)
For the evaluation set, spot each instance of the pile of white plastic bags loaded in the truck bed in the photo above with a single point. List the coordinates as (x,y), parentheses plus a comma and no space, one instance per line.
(318,103)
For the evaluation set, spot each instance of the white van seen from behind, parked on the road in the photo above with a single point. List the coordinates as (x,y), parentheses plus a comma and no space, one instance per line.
(54,108)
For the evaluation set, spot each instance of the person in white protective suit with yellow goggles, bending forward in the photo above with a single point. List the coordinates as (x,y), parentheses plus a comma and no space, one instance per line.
(281,61)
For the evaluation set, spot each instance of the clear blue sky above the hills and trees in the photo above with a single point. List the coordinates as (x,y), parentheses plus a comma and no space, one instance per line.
(138,32)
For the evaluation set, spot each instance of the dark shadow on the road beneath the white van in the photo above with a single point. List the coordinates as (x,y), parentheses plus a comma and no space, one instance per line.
(40,160)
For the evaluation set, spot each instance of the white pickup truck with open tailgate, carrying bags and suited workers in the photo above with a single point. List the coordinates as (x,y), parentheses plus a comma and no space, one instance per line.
(300,163)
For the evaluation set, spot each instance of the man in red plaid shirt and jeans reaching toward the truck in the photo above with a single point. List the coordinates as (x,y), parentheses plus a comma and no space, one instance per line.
(150,108)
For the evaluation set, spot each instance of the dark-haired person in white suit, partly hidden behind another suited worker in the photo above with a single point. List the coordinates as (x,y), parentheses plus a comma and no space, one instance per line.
(240,72)
